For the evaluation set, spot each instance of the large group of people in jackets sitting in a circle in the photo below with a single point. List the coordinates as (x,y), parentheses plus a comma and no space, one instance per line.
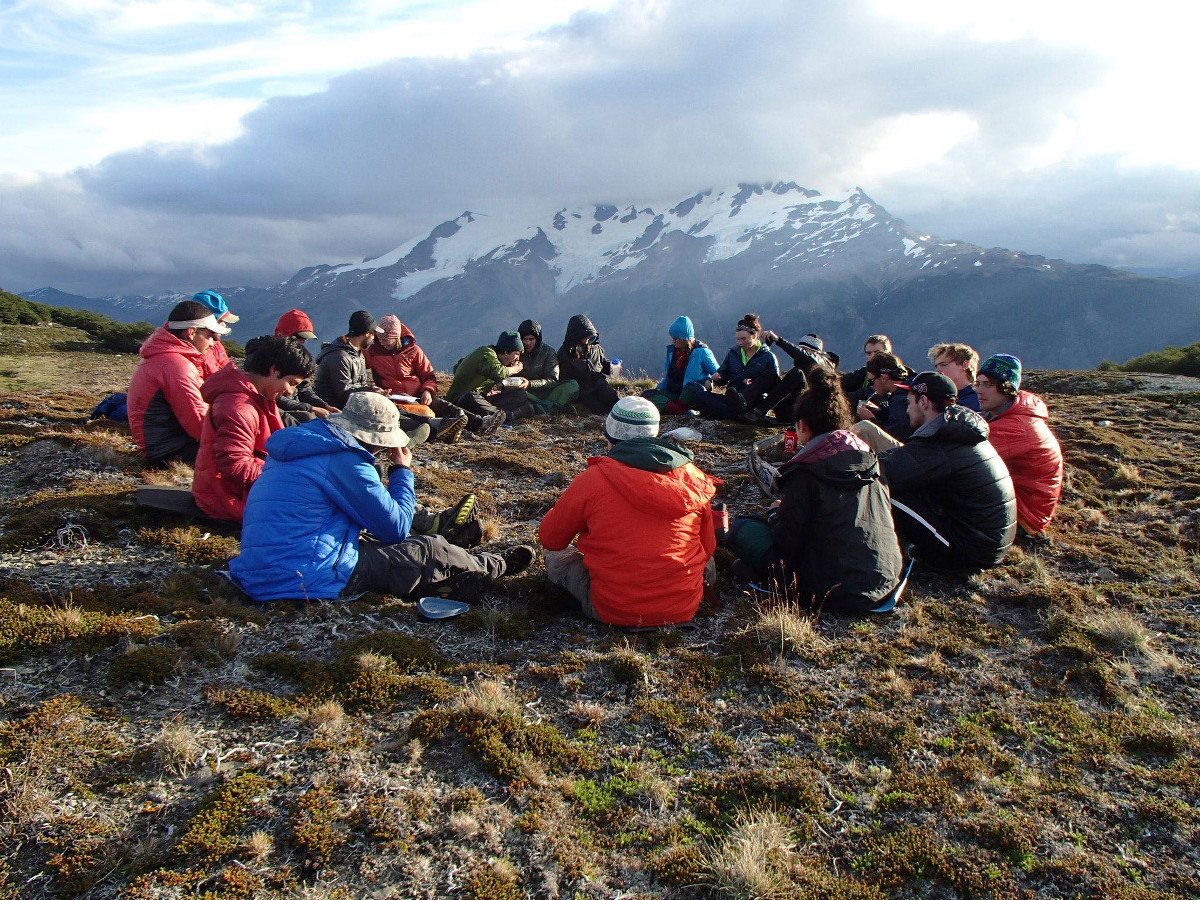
(314,459)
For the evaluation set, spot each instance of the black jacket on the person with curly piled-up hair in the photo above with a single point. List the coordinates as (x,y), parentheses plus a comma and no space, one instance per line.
(835,525)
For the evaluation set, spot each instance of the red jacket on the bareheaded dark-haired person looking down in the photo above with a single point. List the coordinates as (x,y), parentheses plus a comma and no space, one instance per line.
(233,443)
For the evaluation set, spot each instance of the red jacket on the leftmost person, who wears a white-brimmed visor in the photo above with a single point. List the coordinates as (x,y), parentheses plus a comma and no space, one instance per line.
(165,403)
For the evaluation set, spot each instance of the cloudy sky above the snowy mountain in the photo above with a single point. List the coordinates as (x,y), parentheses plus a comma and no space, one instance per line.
(181,145)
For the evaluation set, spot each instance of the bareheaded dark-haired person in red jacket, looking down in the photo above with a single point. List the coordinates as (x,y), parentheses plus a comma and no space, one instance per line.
(242,417)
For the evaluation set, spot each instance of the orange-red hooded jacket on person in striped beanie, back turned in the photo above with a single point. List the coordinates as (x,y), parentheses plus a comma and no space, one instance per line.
(645,527)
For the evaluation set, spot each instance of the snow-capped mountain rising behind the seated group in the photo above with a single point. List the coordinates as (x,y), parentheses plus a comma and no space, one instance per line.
(806,261)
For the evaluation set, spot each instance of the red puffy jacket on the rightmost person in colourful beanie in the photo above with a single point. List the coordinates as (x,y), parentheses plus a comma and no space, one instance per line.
(1029,448)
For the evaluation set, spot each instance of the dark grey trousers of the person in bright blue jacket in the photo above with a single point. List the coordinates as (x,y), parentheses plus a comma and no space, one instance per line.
(419,562)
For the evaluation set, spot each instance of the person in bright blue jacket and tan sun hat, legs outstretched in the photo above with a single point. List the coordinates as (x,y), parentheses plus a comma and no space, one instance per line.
(320,490)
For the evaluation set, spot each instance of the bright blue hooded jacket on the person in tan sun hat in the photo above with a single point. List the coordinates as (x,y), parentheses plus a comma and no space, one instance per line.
(301,532)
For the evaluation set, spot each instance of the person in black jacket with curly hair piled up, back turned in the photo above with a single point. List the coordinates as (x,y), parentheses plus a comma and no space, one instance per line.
(830,542)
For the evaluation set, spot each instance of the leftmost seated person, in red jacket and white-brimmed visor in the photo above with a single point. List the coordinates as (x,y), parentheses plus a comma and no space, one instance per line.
(165,403)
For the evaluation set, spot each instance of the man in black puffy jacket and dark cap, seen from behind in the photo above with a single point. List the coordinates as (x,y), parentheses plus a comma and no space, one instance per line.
(952,496)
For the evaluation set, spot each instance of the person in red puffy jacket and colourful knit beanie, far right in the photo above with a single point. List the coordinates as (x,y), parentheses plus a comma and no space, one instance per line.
(1024,441)
